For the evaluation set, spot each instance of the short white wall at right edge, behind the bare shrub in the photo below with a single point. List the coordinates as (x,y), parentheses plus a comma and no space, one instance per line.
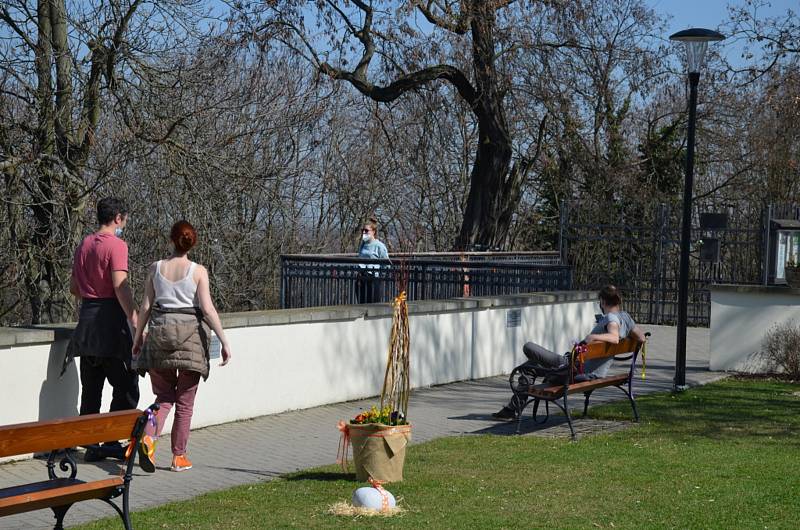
(741,317)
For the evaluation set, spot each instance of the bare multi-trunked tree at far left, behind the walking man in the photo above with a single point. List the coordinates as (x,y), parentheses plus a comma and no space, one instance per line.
(58,64)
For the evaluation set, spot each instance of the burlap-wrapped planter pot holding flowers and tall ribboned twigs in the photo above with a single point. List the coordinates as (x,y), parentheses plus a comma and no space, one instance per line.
(379,451)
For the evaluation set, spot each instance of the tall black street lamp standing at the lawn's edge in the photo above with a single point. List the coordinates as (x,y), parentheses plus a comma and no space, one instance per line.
(696,40)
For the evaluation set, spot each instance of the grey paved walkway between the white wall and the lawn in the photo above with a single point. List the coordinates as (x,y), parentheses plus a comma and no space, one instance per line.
(262,448)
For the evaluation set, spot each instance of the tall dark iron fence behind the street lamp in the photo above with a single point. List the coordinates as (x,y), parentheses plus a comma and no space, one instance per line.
(642,258)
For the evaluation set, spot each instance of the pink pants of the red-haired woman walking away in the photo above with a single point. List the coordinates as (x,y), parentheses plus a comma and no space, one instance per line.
(177,387)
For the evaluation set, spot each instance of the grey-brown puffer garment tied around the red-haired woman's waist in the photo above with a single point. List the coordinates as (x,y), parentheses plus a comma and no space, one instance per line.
(177,339)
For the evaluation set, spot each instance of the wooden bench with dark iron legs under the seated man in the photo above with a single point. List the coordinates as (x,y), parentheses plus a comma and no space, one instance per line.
(558,393)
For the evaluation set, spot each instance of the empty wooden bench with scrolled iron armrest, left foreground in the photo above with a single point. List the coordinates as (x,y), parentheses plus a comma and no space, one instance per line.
(60,493)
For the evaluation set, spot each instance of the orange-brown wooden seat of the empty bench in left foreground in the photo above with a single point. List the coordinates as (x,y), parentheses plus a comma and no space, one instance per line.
(48,496)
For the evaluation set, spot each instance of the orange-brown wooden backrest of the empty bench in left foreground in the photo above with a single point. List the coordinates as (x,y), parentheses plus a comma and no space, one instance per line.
(37,437)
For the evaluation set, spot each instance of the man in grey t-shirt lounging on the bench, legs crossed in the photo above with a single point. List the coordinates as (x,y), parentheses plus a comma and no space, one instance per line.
(614,325)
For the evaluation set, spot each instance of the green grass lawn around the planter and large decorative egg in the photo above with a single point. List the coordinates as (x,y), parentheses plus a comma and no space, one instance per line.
(720,456)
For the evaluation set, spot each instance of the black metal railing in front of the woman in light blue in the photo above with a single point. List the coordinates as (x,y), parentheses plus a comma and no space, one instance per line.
(322,280)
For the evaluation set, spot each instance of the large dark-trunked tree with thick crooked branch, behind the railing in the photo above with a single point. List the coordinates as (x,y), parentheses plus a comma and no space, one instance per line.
(406,39)
